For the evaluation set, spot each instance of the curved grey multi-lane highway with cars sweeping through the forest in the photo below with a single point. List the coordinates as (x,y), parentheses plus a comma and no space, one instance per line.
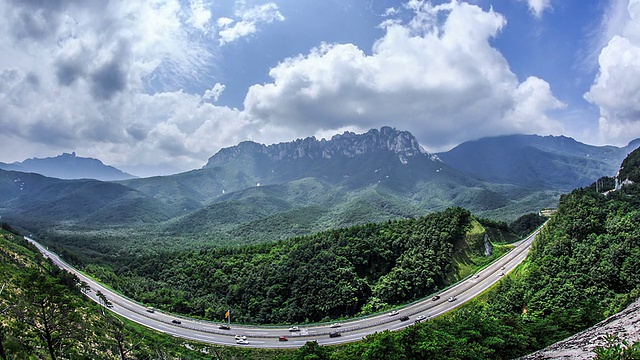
(268,336)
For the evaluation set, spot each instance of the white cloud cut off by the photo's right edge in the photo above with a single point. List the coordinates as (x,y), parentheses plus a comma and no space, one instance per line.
(616,88)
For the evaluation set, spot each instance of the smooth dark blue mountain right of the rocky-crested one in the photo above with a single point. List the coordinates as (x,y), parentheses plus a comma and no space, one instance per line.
(556,162)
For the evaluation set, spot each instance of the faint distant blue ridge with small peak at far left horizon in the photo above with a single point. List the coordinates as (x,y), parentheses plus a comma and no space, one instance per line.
(69,166)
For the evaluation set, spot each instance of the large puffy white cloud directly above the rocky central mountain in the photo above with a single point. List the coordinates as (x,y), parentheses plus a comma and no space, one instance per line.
(441,80)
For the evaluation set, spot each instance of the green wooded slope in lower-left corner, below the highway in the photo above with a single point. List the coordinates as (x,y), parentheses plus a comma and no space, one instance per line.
(45,315)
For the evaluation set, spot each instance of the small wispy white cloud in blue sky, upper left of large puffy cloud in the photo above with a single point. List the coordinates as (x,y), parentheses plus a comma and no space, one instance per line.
(230,30)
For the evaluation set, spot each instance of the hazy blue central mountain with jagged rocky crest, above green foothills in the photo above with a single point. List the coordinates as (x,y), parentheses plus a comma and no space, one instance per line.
(349,160)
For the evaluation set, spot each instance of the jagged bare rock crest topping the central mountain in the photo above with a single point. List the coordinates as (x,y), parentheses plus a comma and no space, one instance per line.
(347,144)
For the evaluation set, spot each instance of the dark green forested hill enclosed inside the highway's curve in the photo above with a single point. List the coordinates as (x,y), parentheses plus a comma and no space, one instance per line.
(329,275)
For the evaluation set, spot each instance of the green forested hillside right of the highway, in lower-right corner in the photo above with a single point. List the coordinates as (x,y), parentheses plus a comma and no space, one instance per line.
(583,268)
